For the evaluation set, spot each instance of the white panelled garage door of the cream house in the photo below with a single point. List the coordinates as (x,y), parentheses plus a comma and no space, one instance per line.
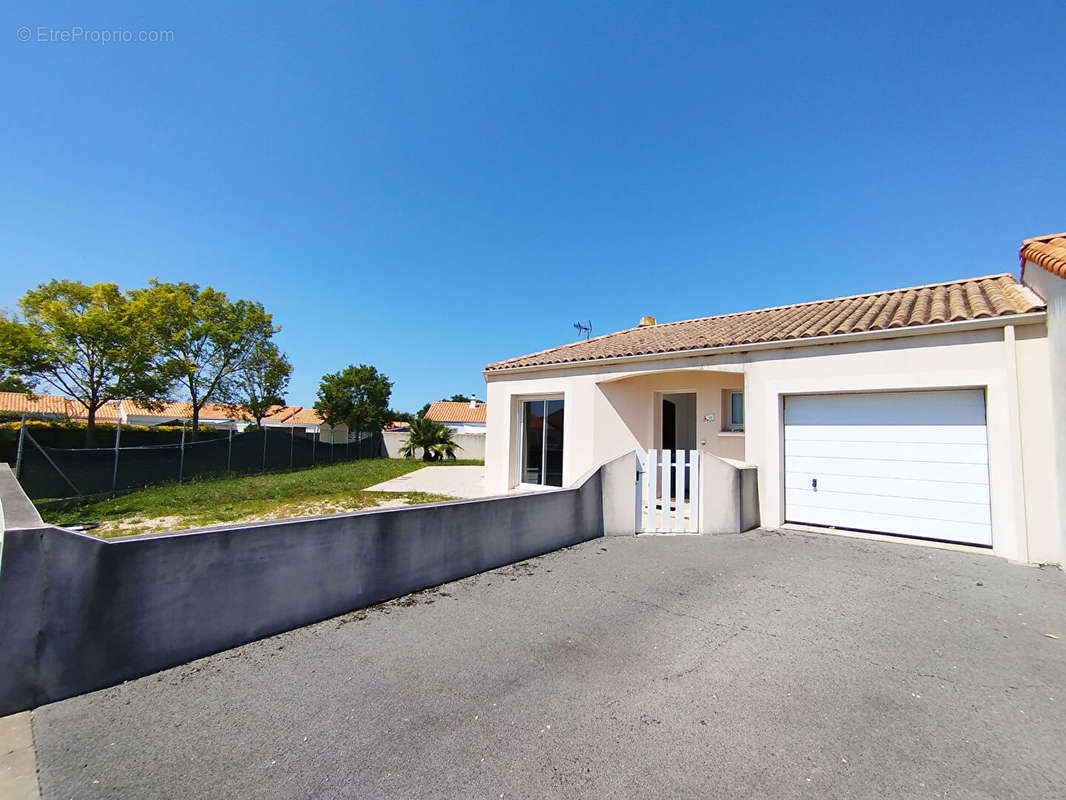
(914,463)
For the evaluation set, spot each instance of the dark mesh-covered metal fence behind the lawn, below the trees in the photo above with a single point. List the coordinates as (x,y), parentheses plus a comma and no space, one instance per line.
(47,473)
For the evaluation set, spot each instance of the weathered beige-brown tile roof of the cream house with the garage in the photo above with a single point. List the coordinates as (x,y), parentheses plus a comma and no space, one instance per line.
(993,296)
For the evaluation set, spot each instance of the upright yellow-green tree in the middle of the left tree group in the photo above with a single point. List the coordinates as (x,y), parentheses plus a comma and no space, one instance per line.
(206,341)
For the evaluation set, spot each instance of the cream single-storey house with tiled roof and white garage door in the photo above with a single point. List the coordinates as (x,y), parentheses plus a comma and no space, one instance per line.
(927,412)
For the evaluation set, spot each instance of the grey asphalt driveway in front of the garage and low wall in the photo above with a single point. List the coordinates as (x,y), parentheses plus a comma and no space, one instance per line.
(765,665)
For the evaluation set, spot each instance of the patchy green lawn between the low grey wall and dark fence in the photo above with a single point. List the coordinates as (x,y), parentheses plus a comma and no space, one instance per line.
(320,491)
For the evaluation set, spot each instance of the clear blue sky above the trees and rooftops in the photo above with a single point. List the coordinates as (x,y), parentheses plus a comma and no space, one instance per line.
(429,189)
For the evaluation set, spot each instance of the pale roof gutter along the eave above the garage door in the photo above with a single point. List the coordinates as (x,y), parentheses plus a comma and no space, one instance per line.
(894,333)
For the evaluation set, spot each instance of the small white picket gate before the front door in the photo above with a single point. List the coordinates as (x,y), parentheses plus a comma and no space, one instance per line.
(670,490)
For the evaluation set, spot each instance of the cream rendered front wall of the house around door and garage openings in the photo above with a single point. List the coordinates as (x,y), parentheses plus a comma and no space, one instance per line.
(612,409)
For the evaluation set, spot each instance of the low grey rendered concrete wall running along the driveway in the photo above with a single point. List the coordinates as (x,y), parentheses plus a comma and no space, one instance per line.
(80,614)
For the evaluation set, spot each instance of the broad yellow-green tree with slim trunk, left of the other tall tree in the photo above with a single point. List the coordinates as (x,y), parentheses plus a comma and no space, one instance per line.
(89,343)
